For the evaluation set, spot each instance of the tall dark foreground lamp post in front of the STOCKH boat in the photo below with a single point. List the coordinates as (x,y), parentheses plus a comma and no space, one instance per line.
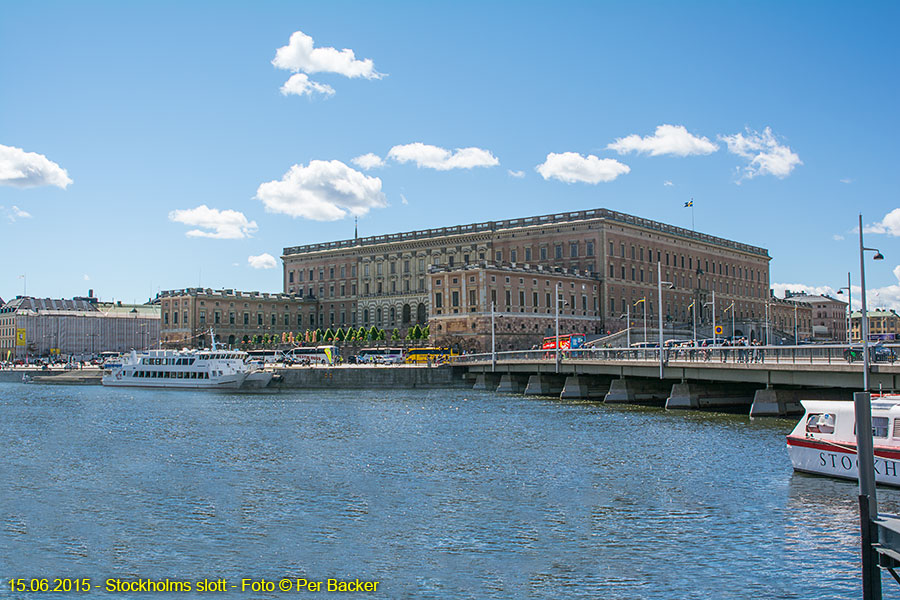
(868,502)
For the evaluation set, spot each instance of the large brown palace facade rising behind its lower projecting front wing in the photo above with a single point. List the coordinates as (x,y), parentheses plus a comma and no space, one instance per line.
(385,280)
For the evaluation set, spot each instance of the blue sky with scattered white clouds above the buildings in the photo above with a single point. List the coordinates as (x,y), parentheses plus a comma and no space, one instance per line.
(154,146)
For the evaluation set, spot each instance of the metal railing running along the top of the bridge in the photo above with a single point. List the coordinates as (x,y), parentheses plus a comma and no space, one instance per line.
(822,354)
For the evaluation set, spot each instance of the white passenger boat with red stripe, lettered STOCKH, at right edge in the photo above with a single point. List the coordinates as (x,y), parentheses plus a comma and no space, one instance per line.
(824,441)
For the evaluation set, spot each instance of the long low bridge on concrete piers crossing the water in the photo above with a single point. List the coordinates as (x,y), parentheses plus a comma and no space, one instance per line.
(766,380)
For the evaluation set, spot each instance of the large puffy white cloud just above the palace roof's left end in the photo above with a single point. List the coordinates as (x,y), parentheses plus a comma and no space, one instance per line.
(323,191)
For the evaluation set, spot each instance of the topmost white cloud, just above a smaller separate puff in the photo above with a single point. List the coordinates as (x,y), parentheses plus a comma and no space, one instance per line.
(301,55)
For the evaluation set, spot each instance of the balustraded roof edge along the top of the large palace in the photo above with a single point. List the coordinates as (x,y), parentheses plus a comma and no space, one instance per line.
(493,226)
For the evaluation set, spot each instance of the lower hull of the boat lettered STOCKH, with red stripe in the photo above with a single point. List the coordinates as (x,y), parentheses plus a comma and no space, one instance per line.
(839,460)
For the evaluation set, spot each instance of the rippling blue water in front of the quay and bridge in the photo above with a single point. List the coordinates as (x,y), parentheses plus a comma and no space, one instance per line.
(435,494)
